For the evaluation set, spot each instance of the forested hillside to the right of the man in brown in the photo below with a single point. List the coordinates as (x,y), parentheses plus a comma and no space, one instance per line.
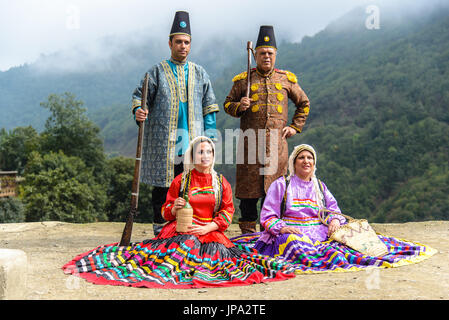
(380,113)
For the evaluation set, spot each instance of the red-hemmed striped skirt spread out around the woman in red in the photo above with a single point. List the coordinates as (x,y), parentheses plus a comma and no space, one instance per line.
(180,262)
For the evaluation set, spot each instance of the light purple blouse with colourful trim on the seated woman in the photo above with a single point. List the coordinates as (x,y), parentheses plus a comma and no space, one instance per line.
(301,210)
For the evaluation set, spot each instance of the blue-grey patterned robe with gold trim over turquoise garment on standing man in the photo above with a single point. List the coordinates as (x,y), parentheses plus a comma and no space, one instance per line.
(181,106)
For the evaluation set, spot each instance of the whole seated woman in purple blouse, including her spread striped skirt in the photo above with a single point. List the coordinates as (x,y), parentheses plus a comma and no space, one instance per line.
(294,232)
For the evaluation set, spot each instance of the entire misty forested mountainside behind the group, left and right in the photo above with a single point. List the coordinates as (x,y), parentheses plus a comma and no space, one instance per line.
(379,116)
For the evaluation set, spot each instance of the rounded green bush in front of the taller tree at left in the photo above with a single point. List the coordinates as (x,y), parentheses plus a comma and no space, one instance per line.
(62,188)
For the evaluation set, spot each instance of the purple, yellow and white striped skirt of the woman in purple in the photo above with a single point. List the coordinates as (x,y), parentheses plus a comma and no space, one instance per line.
(308,256)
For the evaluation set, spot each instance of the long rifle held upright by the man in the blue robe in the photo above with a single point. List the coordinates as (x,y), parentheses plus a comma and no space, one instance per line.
(126,236)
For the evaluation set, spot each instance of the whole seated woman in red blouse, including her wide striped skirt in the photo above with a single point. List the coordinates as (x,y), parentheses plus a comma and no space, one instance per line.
(201,257)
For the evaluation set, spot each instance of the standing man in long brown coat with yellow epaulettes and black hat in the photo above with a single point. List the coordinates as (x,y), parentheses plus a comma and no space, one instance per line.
(263,121)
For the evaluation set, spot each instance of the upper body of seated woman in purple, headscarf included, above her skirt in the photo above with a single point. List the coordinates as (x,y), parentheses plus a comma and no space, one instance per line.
(303,200)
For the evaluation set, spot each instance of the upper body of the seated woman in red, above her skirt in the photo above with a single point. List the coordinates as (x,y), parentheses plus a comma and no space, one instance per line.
(210,195)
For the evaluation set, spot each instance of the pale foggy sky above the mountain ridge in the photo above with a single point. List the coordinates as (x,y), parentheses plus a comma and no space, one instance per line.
(89,31)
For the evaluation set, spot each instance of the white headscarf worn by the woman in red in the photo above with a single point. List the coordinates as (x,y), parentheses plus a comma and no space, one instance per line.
(189,166)
